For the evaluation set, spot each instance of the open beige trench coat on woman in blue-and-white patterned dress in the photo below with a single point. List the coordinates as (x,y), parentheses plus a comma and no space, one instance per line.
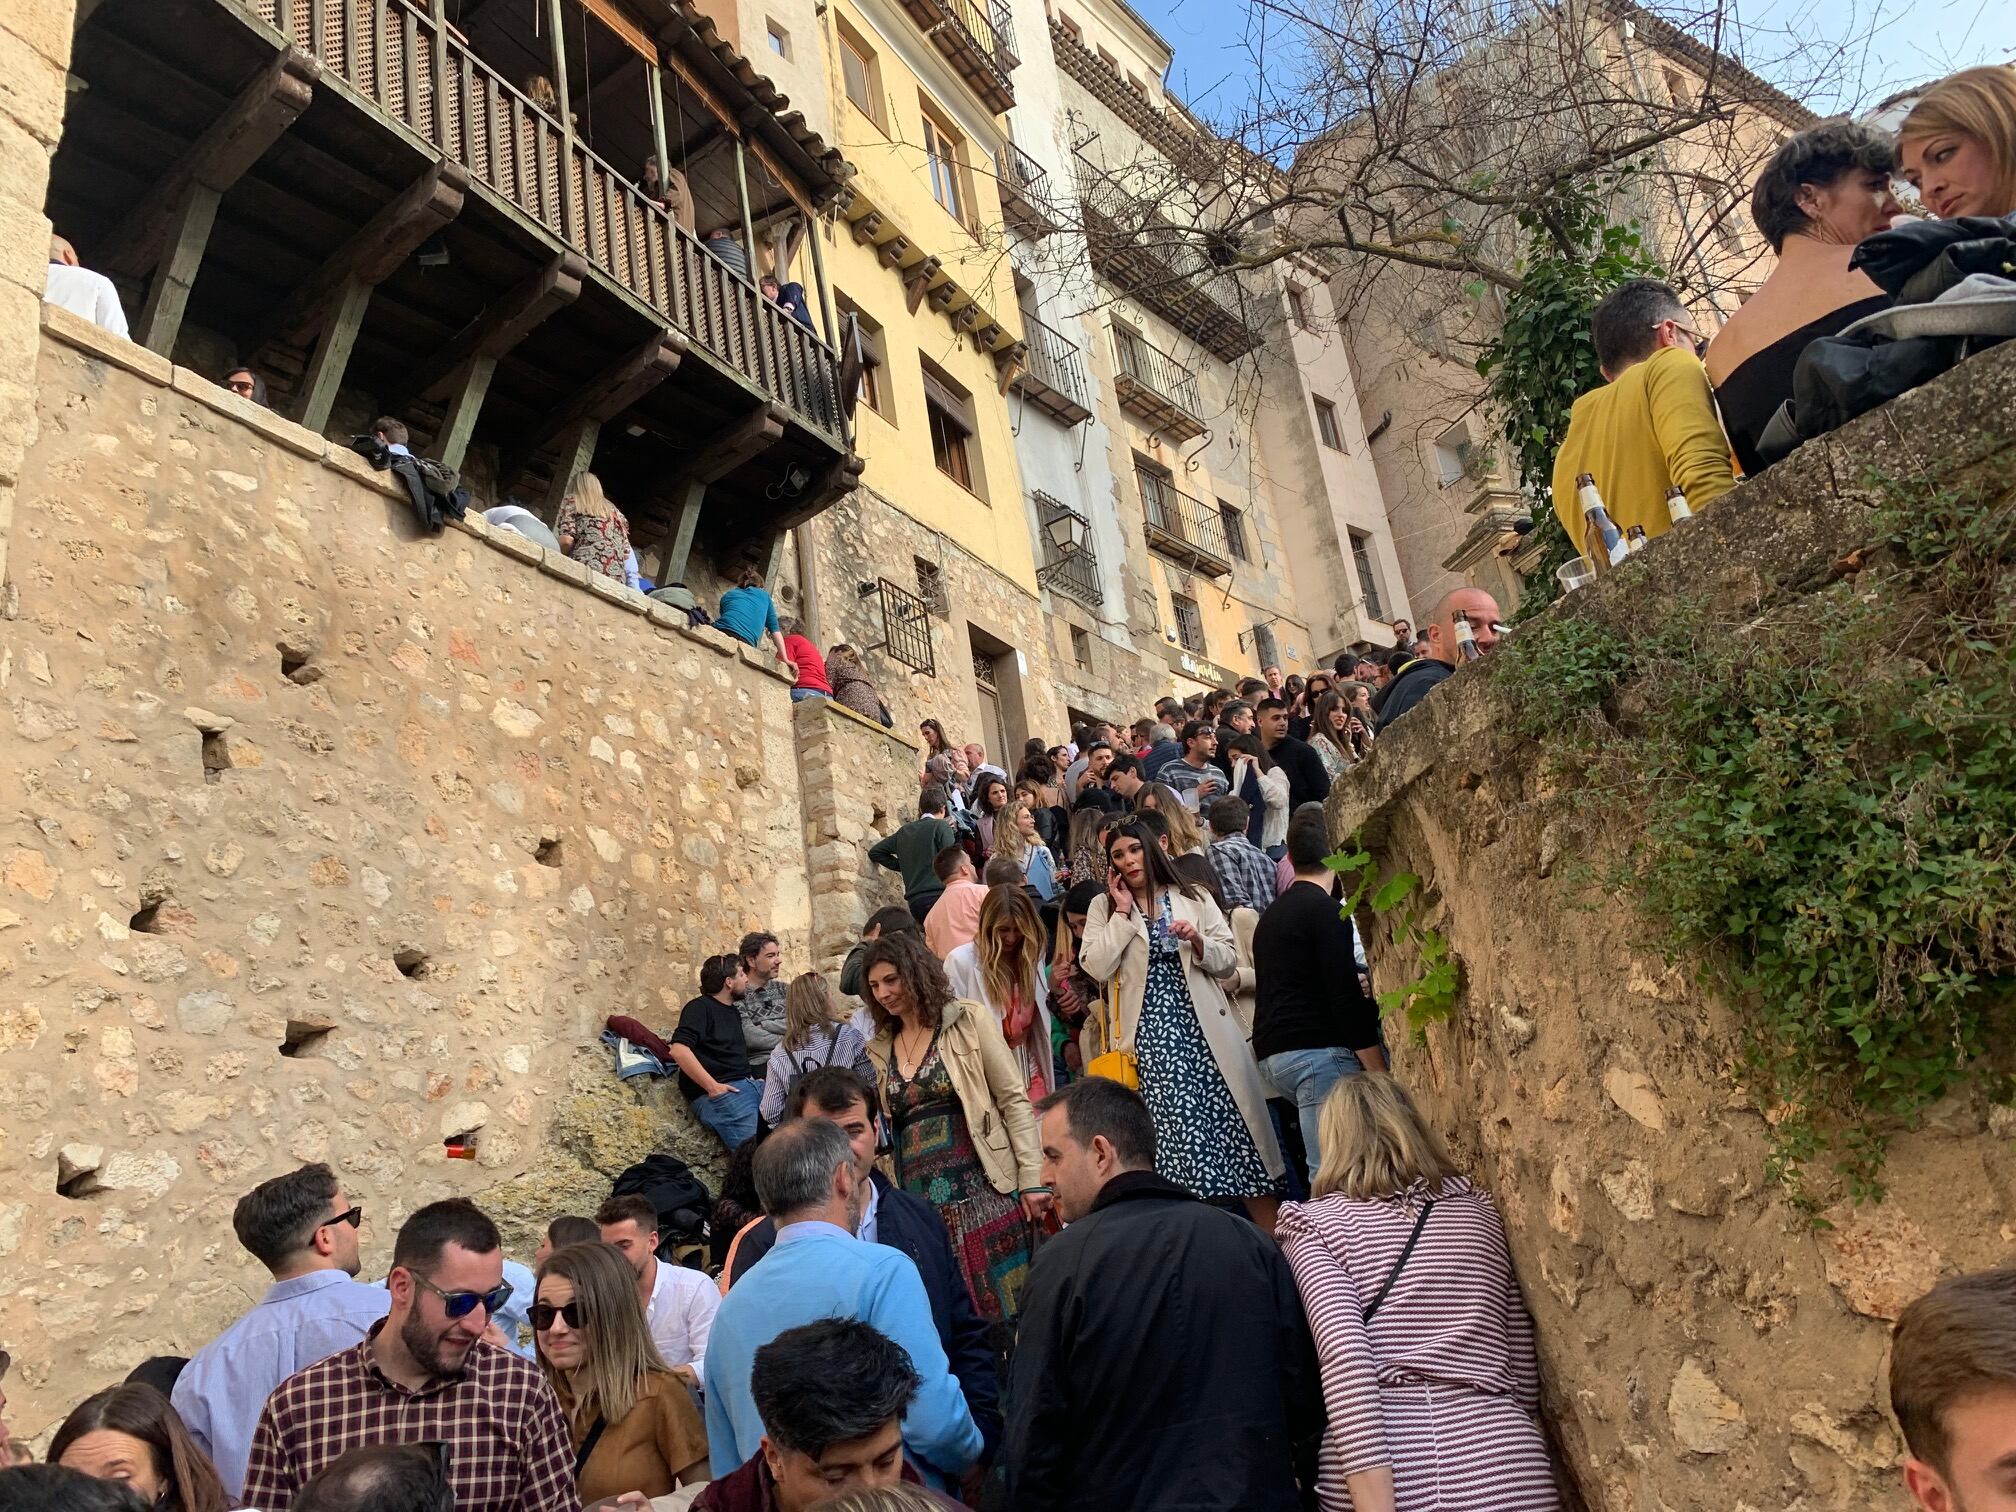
(1116,953)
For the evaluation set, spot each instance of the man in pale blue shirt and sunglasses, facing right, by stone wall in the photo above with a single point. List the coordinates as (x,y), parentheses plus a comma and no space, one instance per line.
(305,1231)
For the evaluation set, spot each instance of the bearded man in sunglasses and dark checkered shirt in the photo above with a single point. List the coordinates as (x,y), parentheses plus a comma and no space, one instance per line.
(428,1376)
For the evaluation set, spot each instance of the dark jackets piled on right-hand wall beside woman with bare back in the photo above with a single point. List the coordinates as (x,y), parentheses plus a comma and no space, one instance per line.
(1955,283)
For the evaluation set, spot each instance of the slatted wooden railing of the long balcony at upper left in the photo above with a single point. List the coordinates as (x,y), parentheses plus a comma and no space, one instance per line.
(392,55)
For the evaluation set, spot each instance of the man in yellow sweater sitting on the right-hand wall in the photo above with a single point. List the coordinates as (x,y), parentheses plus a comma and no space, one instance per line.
(1652,426)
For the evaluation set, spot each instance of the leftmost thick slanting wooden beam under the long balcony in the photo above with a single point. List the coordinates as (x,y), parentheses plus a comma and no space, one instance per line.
(223,156)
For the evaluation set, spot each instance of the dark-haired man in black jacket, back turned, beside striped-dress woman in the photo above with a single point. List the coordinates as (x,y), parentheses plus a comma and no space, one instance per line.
(1162,1360)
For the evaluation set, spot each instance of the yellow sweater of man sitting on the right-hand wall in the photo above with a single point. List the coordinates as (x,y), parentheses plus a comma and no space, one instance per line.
(1650,430)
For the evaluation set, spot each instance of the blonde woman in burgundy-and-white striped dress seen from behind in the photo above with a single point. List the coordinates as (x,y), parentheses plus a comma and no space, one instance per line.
(1428,1362)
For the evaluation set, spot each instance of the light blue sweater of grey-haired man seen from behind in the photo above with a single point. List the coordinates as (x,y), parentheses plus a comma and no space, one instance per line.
(820,1271)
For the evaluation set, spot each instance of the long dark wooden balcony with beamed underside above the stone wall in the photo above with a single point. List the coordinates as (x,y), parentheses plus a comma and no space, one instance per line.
(551,301)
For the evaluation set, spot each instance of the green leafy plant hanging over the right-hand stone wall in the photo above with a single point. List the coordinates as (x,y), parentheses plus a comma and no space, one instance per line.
(1825,820)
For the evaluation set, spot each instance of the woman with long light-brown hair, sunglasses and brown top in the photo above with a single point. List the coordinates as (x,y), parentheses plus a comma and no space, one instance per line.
(636,1424)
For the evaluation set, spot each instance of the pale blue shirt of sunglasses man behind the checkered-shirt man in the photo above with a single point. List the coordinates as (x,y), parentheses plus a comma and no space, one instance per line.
(295,1326)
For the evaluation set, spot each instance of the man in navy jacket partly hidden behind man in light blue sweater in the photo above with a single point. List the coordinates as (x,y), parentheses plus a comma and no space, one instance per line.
(908,1225)
